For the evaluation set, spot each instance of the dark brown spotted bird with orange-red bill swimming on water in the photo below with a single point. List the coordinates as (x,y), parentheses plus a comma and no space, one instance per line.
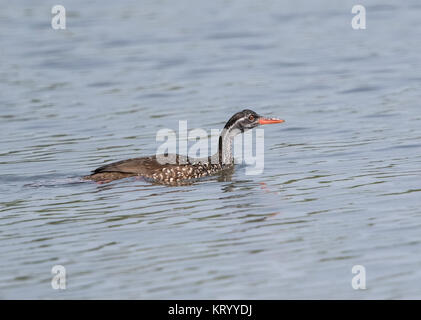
(175,169)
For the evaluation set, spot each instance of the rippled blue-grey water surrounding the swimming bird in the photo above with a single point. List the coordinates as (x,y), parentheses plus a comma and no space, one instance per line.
(341,184)
